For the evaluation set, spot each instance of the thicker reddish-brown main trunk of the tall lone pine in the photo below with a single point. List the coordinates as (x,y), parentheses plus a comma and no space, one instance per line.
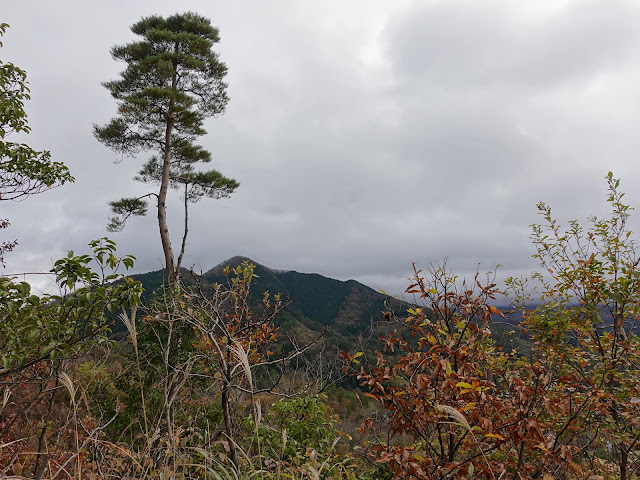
(162,195)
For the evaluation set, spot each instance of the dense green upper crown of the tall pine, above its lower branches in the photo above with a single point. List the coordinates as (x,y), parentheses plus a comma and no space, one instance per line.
(172,76)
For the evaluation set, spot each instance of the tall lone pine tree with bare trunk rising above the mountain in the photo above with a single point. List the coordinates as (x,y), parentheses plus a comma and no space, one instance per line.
(173,81)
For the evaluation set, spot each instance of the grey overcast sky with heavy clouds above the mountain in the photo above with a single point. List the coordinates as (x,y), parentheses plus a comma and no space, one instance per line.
(365,134)
